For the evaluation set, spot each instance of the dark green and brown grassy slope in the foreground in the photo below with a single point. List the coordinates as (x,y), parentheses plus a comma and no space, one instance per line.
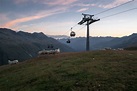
(87,71)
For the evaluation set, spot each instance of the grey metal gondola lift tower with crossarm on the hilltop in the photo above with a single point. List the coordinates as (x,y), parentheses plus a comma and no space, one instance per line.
(88,19)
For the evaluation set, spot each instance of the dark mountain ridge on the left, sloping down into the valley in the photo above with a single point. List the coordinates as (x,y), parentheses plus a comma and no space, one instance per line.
(22,45)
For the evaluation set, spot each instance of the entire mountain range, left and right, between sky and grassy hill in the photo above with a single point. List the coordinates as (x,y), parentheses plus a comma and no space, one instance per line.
(23,45)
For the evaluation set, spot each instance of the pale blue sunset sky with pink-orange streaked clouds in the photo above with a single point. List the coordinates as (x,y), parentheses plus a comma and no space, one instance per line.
(56,17)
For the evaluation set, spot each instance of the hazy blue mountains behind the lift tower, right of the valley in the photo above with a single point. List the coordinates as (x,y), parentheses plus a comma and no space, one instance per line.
(99,43)
